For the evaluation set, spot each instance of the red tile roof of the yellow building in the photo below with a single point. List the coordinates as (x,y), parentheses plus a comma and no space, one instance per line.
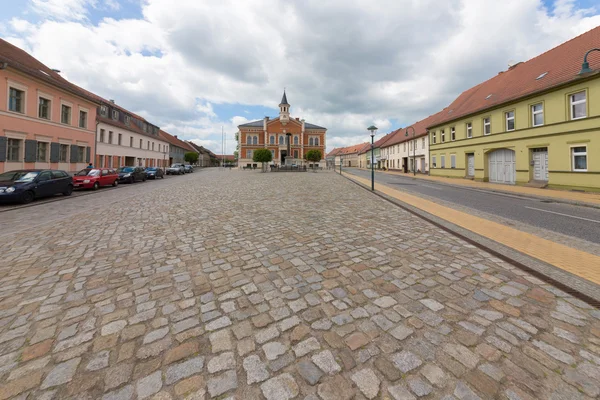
(561,65)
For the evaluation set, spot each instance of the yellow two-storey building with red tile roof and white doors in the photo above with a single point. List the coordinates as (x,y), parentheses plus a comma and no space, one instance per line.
(536,123)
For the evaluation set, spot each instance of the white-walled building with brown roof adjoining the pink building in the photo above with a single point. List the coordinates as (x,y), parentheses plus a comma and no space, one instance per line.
(126,139)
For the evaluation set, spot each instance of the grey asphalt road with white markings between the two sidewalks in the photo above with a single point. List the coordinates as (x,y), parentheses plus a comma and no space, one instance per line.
(570,220)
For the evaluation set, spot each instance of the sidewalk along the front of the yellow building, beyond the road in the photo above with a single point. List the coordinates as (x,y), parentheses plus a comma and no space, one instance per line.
(587,198)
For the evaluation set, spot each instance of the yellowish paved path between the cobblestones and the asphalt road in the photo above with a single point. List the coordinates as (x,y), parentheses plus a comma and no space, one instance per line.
(577,262)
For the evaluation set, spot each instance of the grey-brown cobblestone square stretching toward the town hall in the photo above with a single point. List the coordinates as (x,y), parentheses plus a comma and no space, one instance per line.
(244,285)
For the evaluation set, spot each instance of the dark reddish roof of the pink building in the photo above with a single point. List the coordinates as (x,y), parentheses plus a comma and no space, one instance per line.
(22,61)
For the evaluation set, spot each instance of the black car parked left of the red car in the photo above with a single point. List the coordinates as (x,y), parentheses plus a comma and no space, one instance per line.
(27,184)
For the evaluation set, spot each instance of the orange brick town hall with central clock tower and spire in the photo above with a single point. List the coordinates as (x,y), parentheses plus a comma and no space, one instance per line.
(289,139)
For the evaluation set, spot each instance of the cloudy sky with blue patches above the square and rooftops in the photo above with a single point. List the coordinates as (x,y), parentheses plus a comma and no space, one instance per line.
(194,66)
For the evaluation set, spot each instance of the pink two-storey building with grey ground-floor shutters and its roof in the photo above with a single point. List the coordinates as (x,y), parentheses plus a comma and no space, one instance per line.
(45,121)
